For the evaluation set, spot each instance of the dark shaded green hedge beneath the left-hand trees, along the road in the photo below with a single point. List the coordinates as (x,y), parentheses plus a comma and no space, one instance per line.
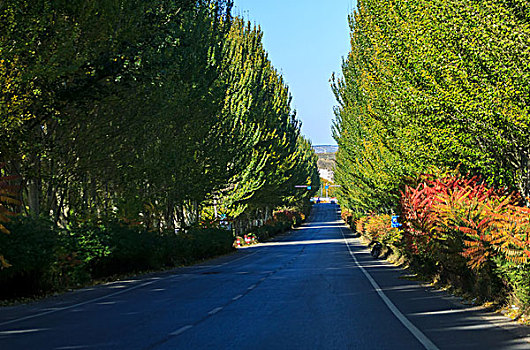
(46,258)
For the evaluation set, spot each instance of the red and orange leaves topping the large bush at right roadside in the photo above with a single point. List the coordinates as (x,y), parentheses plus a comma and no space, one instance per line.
(465,216)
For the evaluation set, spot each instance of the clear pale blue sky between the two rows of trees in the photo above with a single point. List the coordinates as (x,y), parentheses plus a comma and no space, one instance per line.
(306,40)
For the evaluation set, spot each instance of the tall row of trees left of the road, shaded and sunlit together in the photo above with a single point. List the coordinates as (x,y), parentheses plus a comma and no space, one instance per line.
(155,112)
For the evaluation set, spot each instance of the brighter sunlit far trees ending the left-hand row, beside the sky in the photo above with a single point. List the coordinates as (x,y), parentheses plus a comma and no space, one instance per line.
(278,157)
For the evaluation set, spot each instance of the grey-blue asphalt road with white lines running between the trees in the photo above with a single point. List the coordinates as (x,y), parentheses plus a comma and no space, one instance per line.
(314,288)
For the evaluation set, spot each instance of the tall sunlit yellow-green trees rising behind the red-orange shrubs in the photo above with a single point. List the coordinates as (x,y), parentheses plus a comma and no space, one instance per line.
(432,85)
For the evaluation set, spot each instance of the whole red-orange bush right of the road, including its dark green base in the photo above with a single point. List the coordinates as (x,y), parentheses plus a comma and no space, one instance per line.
(468,234)
